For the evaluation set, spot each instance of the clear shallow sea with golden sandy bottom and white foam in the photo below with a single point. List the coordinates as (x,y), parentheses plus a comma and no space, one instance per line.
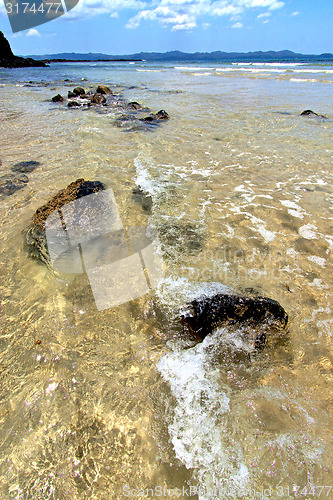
(115,402)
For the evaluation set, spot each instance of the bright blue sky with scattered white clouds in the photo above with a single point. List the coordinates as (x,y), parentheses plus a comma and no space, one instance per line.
(129,26)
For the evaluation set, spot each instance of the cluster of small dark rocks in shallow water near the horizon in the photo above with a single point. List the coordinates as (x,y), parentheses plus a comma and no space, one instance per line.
(103,96)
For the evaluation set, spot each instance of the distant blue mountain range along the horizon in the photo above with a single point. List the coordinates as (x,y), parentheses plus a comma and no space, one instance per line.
(176,55)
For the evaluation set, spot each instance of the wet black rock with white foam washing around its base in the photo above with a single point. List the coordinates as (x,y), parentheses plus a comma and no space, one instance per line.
(206,313)
